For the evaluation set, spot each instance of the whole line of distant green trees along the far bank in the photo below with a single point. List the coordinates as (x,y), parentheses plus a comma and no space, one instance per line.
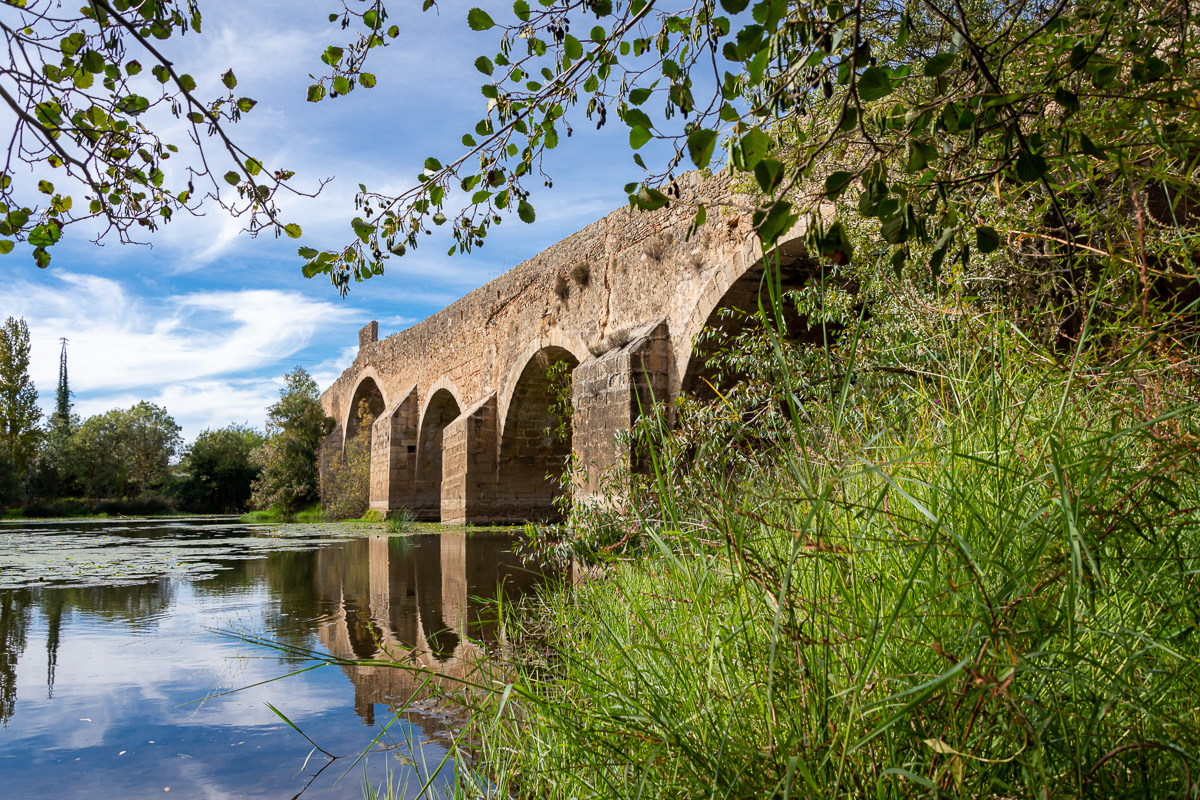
(134,461)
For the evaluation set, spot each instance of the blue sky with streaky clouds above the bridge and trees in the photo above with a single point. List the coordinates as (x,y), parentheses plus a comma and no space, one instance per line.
(205,320)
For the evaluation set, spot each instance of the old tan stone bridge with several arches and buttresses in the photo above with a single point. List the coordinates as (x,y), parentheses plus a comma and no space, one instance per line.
(463,401)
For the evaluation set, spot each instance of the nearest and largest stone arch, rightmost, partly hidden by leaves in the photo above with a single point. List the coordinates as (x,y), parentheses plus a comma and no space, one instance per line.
(735,288)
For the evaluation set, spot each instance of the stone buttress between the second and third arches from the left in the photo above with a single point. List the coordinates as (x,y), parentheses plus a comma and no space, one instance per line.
(469,465)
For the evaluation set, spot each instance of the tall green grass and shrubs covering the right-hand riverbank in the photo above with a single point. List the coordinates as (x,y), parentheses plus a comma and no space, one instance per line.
(974,576)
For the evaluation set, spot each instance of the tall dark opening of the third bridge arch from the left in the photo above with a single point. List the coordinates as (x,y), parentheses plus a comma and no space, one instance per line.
(537,440)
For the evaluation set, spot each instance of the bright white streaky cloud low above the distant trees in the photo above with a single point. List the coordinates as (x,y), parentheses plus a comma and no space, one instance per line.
(207,357)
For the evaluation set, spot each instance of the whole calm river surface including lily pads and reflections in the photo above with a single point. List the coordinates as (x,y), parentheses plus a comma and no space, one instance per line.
(121,643)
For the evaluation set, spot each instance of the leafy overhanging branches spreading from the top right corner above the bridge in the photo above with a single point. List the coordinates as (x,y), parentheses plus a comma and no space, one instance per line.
(937,118)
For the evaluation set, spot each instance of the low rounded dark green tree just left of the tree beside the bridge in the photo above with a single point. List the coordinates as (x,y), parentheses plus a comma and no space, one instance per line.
(220,471)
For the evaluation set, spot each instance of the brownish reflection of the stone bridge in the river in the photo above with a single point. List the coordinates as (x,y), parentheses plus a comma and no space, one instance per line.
(427,601)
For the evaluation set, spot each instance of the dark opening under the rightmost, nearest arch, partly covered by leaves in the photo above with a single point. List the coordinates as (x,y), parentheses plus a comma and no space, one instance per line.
(736,315)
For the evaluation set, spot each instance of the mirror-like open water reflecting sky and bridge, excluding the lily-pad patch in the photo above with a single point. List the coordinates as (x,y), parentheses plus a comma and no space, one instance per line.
(122,719)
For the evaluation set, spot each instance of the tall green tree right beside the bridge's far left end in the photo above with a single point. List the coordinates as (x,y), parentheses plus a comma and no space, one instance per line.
(297,428)
